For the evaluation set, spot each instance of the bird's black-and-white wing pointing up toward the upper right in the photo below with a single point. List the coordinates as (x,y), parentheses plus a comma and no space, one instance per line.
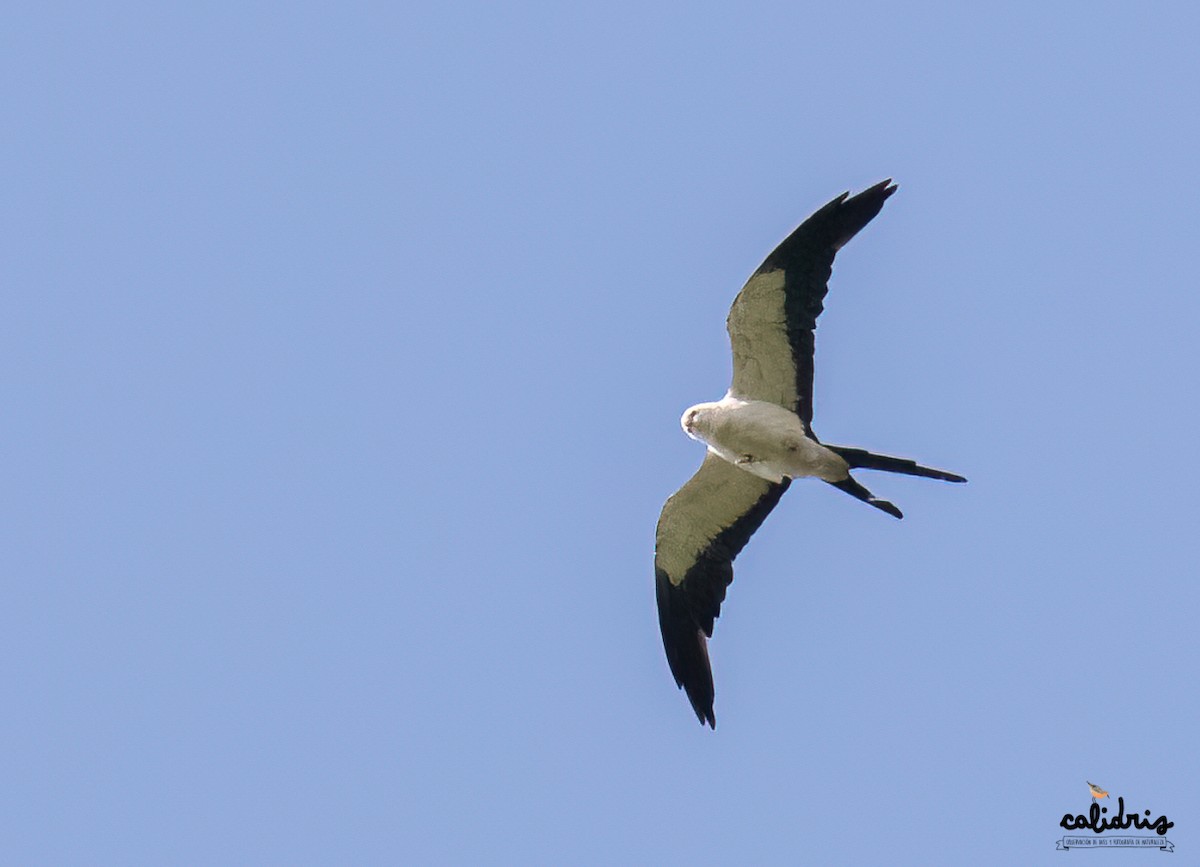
(772,320)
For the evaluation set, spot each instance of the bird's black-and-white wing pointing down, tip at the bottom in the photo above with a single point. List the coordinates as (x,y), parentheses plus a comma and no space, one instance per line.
(703,529)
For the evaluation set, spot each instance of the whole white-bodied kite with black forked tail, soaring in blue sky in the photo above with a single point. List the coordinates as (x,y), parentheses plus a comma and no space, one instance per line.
(760,438)
